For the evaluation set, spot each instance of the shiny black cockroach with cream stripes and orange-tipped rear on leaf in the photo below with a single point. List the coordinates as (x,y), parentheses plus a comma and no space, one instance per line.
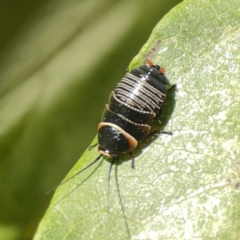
(127,117)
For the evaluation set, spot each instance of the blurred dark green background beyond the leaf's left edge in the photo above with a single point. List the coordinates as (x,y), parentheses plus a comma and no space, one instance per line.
(59,61)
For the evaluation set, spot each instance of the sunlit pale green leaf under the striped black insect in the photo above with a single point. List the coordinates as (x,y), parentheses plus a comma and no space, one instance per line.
(185,186)
